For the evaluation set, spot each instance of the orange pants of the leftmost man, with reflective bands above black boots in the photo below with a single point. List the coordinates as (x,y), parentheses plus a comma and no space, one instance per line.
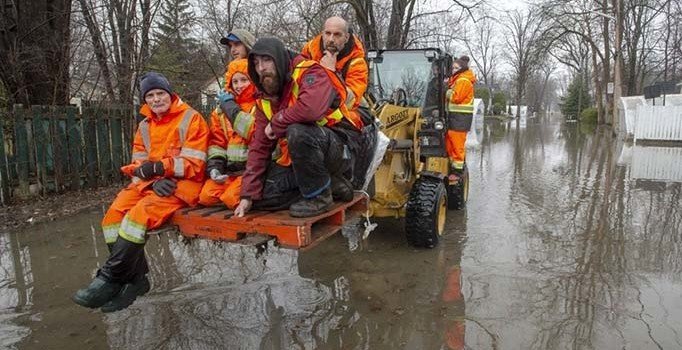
(133,213)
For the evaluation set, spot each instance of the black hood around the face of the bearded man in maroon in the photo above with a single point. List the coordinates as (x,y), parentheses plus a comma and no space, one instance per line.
(274,48)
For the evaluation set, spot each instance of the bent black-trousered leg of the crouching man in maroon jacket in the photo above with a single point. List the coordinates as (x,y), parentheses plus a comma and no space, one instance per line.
(317,153)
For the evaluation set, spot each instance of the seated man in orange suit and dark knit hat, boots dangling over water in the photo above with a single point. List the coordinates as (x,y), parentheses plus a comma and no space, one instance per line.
(167,172)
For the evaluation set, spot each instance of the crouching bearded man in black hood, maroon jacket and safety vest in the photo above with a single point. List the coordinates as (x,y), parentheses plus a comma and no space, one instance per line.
(302,106)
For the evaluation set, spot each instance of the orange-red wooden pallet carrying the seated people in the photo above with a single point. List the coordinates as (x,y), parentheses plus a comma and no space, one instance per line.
(218,223)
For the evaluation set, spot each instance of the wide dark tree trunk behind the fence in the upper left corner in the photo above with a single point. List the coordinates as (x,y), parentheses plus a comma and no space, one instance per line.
(34,50)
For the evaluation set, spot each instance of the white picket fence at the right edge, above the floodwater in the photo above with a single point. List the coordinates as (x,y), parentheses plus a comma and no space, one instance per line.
(659,123)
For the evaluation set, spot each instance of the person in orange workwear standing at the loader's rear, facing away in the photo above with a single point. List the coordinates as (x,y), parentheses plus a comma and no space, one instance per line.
(460,98)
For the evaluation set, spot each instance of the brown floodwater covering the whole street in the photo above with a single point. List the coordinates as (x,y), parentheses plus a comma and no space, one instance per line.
(571,240)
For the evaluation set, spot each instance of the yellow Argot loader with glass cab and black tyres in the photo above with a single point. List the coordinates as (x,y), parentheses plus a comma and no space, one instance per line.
(407,92)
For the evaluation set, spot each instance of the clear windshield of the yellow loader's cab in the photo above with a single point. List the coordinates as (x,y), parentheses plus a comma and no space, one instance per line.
(402,77)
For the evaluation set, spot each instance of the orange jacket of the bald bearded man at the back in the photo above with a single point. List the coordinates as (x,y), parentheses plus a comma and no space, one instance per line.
(352,67)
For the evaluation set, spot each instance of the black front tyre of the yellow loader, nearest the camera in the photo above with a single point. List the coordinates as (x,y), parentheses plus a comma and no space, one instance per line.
(425,212)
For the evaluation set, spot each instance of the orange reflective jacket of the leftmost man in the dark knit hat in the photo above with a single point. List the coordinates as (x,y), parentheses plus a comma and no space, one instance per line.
(179,140)
